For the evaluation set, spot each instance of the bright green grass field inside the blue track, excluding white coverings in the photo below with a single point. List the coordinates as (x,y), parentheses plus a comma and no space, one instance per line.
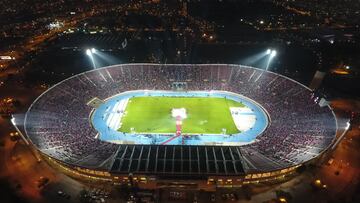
(204,115)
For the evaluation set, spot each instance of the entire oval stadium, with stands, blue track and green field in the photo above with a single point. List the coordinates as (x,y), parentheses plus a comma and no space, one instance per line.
(216,124)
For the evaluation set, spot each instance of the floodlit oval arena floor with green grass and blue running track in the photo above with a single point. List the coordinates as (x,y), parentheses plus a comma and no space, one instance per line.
(179,118)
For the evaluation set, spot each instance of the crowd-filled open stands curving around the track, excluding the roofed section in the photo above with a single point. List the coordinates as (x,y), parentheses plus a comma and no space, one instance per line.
(58,122)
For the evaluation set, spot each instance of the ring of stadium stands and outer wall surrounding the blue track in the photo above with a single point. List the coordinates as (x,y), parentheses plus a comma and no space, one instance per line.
(59,126)
